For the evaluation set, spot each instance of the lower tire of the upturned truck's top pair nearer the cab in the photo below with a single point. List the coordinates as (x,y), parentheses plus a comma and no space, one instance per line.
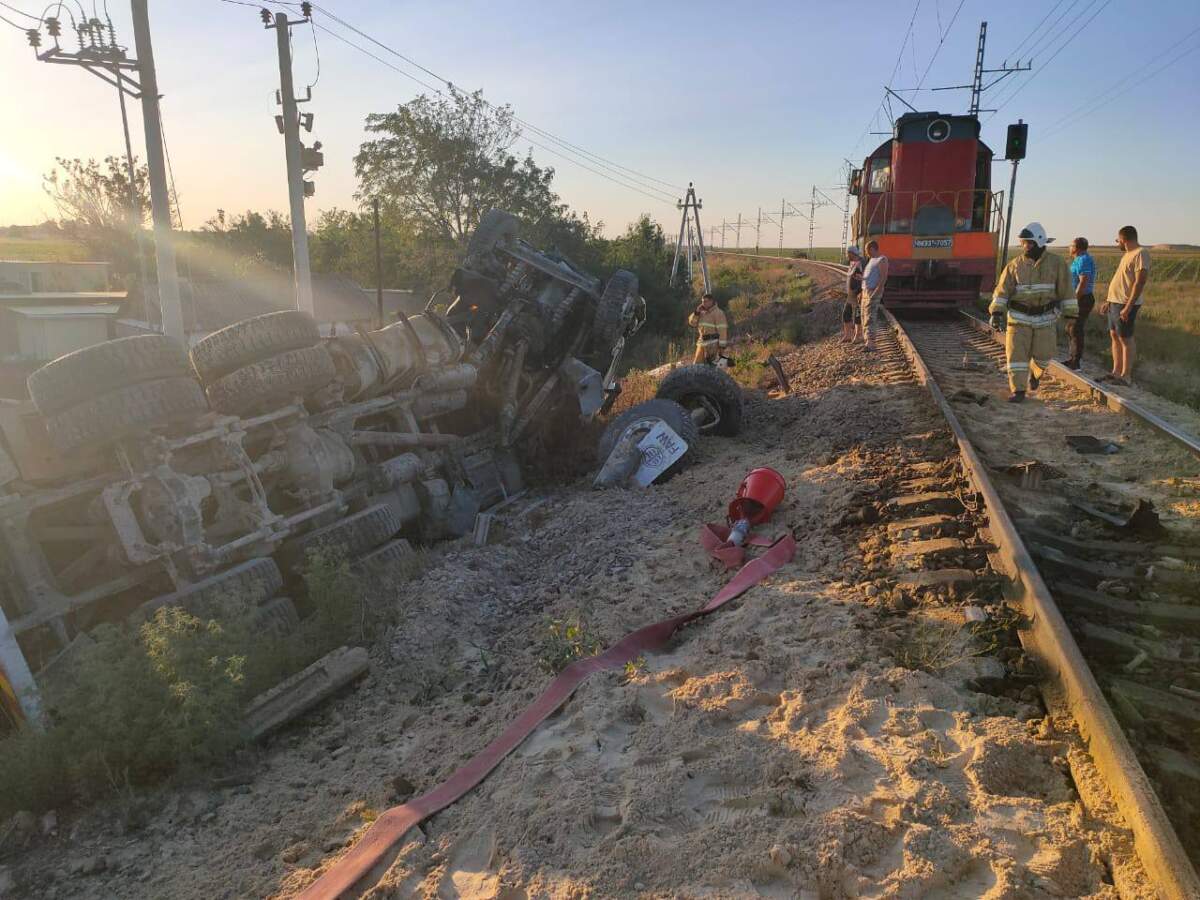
(273,381)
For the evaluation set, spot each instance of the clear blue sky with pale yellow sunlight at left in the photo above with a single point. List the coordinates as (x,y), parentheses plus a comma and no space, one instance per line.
(753,103)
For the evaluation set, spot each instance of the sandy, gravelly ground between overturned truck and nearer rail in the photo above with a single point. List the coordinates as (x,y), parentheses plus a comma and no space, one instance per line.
(778,749)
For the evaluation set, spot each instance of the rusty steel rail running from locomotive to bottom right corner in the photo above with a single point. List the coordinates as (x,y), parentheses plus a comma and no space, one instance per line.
(1071,681)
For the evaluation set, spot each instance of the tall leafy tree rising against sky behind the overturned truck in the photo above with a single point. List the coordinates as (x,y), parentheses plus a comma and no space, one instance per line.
(441,164)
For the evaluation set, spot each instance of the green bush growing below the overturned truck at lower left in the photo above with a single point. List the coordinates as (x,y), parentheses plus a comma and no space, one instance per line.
(141,705)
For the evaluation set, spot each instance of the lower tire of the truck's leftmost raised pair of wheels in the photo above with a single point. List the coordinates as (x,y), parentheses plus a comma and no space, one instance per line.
(124,412)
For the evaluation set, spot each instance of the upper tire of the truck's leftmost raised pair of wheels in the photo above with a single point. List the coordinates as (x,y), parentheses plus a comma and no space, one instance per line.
(87,374)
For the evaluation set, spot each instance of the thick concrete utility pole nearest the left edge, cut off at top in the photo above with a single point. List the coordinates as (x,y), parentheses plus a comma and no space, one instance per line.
(160,200)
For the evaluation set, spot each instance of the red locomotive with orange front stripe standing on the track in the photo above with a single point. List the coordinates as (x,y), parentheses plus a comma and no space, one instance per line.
(926,196)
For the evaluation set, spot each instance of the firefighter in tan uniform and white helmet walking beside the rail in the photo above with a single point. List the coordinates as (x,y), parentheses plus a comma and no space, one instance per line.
(1034,293)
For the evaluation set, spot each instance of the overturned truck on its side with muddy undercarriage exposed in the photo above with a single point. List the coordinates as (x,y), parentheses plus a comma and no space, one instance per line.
(142,476)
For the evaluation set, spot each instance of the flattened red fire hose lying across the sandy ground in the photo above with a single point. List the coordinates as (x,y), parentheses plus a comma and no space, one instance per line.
(387,831)
